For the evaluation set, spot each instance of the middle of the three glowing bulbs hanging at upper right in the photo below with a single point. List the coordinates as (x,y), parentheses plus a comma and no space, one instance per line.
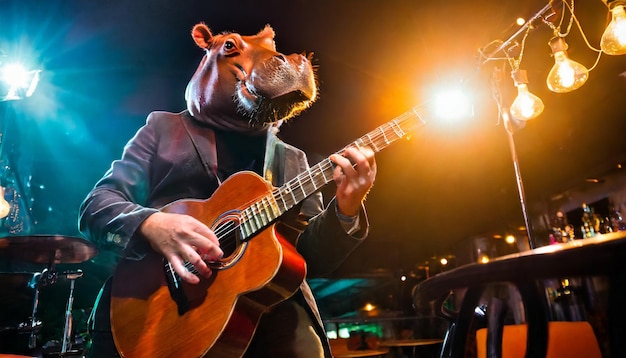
(566,75)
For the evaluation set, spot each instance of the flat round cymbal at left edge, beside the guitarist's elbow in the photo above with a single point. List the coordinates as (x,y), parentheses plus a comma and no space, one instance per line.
(47,249)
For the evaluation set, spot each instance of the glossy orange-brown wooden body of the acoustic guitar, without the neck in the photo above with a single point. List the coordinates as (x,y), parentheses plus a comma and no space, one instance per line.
(221,313)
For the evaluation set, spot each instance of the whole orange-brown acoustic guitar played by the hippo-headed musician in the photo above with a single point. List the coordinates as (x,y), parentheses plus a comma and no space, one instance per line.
(155,314)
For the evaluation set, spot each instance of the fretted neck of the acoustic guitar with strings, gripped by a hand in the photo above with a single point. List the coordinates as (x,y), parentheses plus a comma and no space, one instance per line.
(270,207)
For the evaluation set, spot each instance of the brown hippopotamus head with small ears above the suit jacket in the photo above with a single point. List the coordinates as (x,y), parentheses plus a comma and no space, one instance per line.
(244,84)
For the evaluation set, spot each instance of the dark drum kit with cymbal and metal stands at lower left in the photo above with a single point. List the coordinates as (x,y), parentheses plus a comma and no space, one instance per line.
(47,251)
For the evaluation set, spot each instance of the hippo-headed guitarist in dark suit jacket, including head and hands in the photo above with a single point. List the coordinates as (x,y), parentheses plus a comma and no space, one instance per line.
(241,92)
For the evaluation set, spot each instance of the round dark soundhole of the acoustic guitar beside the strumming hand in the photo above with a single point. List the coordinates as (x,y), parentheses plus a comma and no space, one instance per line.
(226,227)
